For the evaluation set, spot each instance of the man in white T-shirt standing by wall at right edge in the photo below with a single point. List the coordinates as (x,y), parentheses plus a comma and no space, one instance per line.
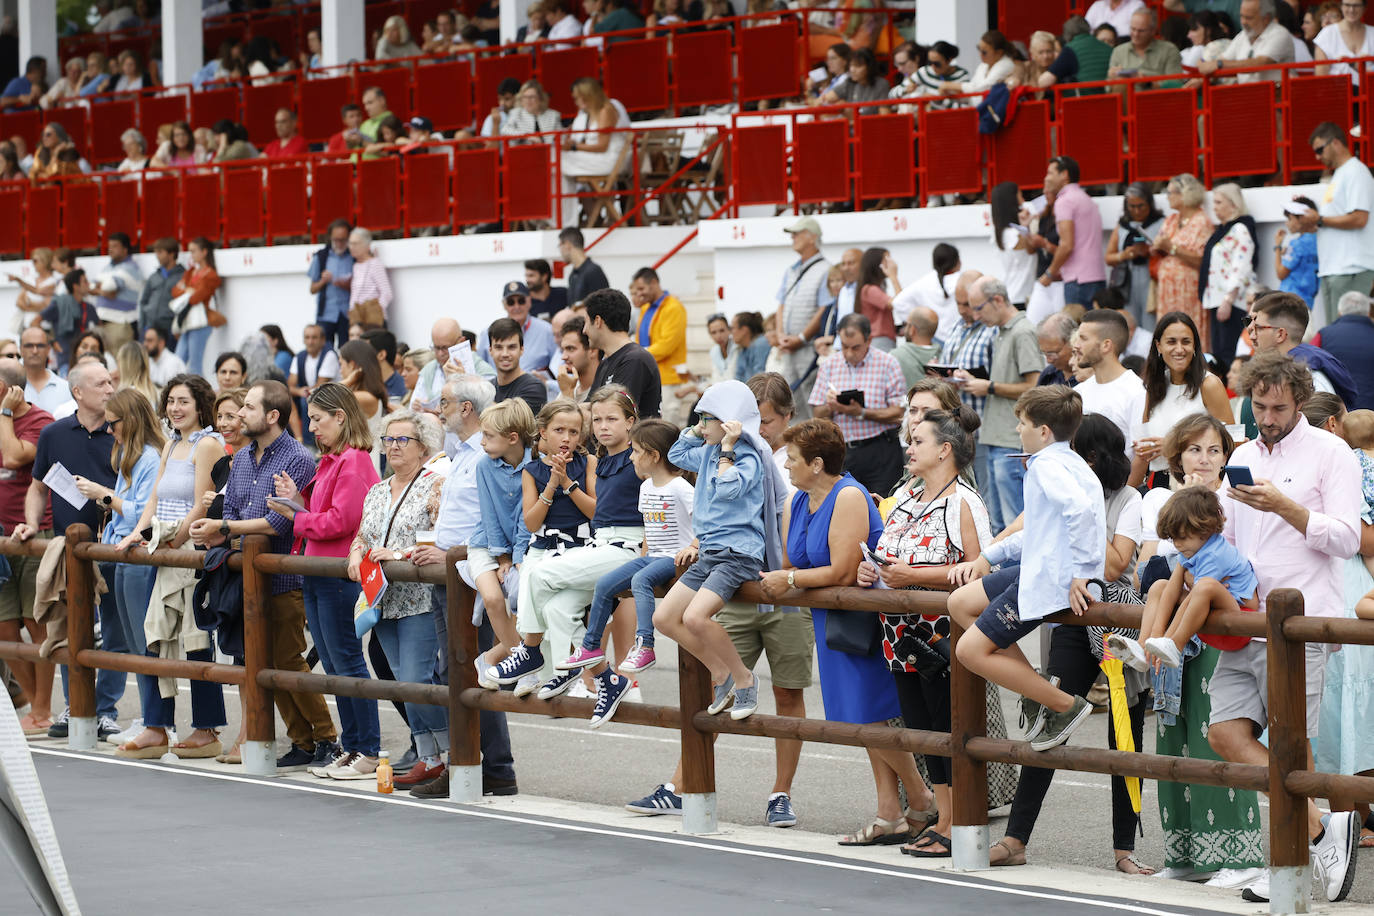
(1342,222)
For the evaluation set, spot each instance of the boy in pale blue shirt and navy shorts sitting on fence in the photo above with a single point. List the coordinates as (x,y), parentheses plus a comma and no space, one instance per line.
(1060,550)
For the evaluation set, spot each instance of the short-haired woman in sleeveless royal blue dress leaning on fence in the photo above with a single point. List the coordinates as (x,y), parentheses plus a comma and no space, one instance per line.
(829,517)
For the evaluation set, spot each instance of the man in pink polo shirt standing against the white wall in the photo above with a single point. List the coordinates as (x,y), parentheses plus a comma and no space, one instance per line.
(1081,260)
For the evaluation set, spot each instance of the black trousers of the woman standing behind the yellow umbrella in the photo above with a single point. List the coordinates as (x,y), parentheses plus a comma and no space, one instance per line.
(1074,664)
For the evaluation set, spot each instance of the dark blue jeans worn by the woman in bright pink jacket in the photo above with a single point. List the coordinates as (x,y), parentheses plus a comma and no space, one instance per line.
(329,613)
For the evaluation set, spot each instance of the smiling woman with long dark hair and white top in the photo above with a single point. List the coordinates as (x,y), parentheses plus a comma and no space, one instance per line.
(1177,385)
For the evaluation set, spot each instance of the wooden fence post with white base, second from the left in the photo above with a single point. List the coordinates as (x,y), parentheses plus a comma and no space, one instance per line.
(259,752)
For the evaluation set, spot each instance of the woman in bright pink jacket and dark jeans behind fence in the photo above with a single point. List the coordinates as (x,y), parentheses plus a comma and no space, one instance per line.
(335,510)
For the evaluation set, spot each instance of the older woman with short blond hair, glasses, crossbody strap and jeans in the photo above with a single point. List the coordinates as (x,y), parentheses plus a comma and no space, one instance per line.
(394,513)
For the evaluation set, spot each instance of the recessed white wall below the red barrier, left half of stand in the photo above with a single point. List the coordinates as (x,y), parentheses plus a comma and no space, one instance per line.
(460,277)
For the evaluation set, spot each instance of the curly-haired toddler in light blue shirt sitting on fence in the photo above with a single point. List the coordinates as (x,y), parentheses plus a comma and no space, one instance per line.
(1211,576)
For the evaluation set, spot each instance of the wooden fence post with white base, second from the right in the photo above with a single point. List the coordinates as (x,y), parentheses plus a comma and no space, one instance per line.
(968,777)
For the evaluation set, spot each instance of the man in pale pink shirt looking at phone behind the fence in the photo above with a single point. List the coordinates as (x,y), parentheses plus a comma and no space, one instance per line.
(1298,525)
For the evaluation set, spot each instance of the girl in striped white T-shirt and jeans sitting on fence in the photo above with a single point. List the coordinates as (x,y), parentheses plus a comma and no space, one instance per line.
(666,502)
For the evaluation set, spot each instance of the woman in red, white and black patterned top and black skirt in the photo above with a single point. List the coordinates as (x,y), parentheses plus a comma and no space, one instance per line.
(934,527)
